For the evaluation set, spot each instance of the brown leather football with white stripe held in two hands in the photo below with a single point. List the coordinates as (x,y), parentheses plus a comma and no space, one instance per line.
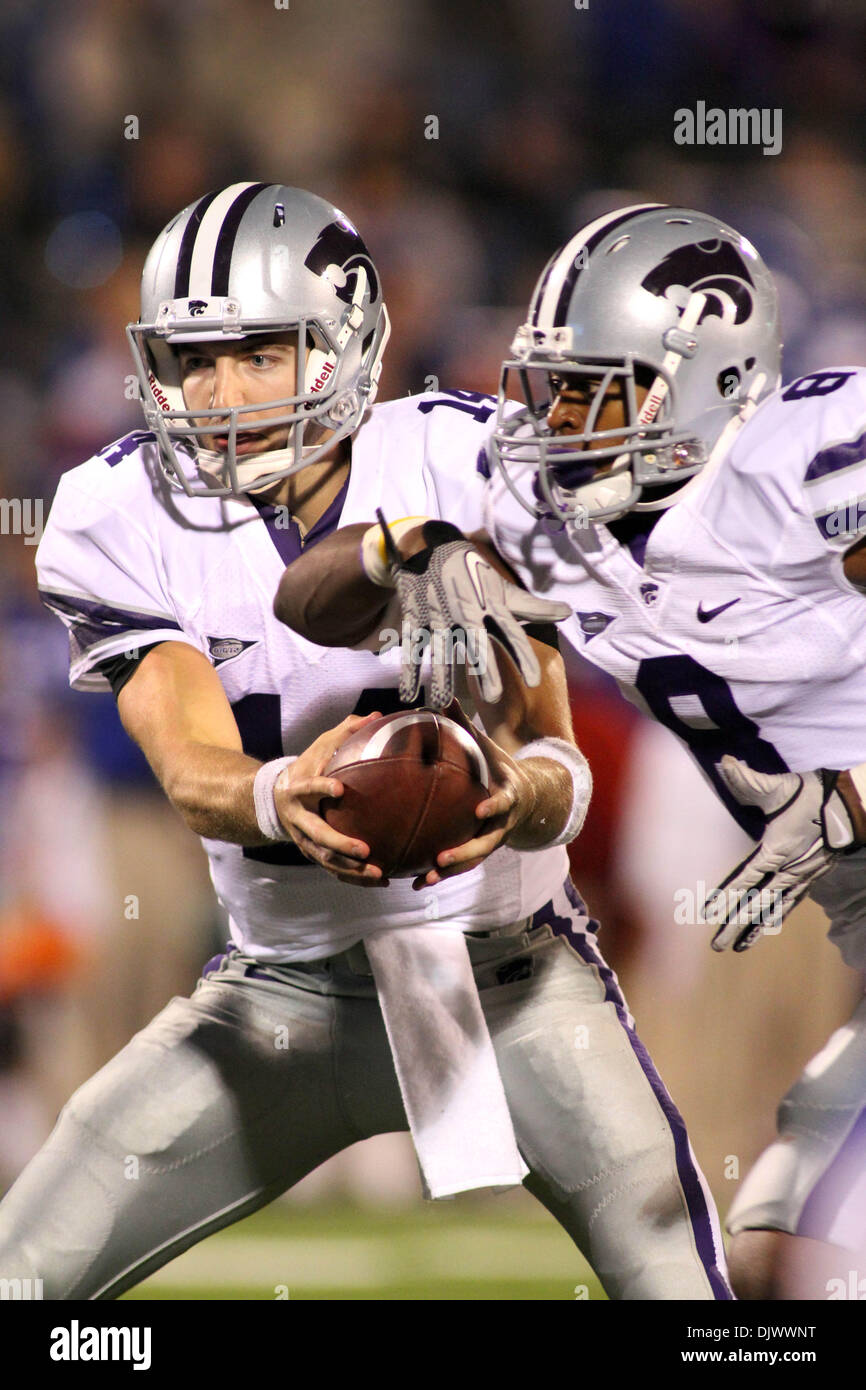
(412,783)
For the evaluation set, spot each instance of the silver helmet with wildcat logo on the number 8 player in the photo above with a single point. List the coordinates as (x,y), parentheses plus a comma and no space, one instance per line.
(653,297)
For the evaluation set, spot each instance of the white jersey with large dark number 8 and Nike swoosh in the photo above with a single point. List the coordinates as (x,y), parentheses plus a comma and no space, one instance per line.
(740,630)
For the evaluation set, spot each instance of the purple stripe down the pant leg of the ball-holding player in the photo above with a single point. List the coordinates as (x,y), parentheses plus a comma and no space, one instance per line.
(692,1185)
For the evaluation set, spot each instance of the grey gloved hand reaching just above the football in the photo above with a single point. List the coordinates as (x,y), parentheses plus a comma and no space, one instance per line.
(450,586)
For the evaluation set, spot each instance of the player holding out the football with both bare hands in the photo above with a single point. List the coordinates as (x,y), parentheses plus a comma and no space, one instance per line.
(259,351)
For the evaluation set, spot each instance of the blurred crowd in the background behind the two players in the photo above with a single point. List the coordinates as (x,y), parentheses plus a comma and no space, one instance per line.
(466,141)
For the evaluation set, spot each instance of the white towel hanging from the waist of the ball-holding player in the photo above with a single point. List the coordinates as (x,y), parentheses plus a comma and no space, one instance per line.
(446,1061)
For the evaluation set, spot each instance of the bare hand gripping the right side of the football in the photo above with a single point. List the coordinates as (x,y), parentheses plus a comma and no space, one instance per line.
(512,799)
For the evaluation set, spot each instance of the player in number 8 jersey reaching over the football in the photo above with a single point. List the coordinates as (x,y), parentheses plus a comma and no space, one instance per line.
(710,532)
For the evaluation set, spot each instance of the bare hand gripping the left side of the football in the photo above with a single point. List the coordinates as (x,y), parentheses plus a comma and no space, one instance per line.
(298,794)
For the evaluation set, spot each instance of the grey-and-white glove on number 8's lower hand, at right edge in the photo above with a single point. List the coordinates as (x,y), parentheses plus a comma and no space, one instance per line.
(808,826)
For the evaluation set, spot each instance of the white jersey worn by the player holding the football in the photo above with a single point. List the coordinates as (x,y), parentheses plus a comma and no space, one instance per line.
(127,561)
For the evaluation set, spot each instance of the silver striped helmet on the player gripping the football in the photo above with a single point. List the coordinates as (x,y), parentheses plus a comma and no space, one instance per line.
(259,259)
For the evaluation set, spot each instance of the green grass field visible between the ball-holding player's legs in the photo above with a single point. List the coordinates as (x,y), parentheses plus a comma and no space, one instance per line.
(459,1250)
